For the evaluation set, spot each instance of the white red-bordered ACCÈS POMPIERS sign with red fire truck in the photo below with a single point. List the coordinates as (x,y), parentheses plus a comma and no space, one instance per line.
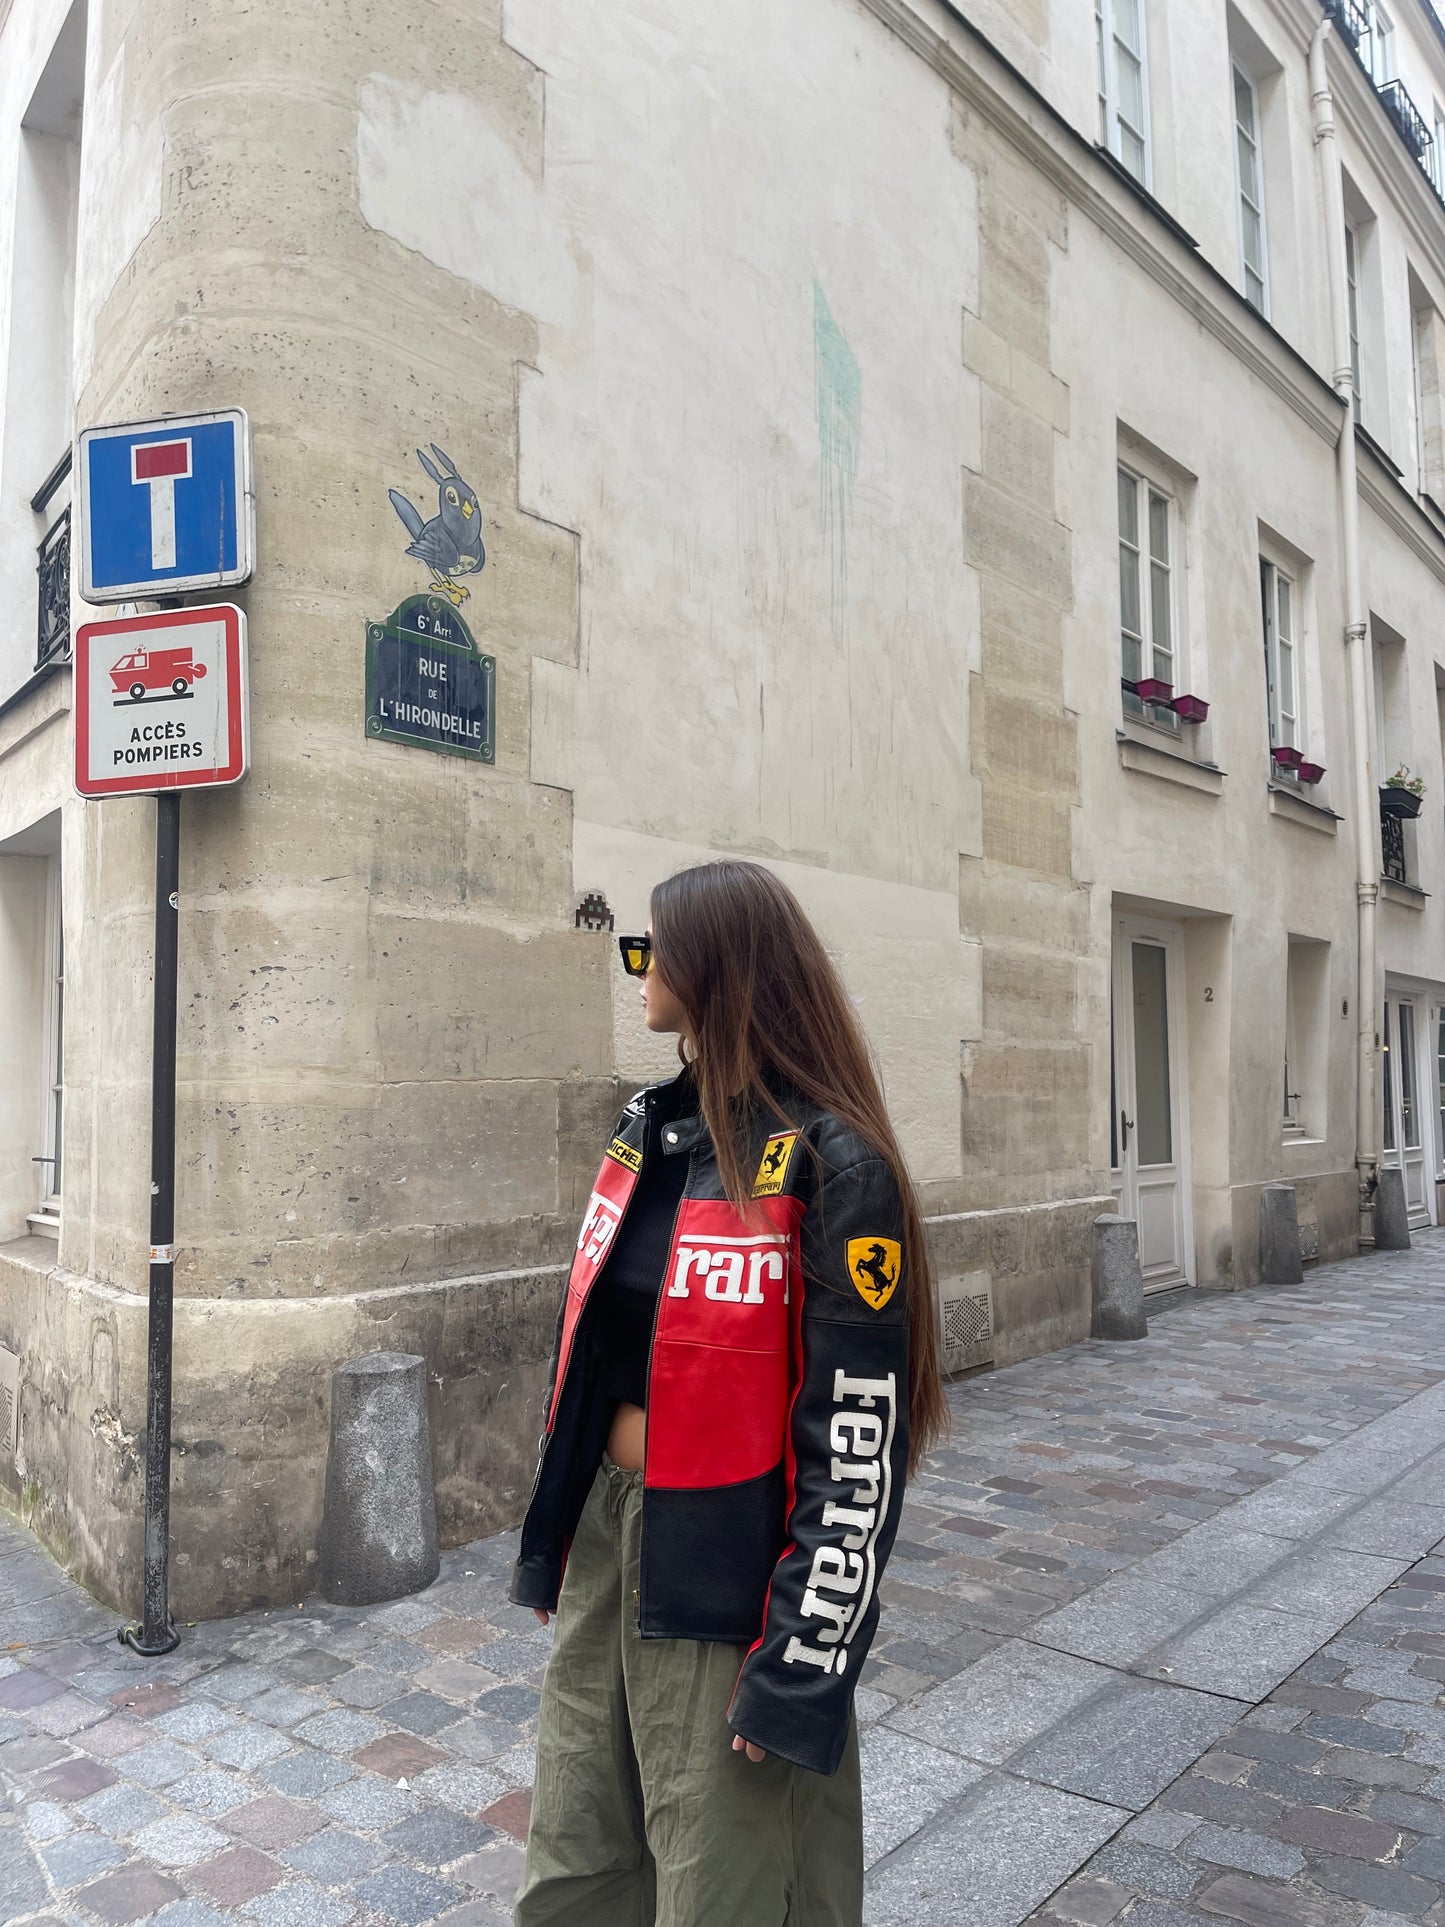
(161,702)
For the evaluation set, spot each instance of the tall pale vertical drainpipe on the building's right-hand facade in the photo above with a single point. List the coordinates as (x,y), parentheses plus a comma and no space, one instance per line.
(1367,808)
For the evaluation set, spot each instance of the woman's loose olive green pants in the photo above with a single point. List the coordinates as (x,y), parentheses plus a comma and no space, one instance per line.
(643,1816)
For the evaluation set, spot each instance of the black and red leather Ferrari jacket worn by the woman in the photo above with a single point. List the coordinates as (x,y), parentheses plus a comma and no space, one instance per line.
(777,1413)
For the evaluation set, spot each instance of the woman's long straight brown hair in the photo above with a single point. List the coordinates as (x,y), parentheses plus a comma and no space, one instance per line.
(762,995)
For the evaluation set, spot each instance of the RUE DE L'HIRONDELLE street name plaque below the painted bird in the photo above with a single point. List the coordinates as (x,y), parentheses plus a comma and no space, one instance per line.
(427,681)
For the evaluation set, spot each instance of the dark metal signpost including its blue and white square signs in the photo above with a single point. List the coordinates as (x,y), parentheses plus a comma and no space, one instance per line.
(161,706)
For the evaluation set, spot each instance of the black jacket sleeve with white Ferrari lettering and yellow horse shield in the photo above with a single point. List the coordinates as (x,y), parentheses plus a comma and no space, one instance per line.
(849,1431)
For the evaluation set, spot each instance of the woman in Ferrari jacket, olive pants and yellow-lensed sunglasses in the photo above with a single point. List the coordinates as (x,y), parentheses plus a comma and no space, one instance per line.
(729,1421)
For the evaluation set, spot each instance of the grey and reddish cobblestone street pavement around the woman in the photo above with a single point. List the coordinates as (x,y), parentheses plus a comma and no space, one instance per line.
(1165,1643)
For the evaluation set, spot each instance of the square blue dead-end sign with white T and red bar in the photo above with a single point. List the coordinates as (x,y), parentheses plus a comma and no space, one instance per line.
(167,506)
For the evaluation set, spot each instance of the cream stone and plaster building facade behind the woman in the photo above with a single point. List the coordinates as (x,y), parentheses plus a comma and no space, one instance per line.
(864,398)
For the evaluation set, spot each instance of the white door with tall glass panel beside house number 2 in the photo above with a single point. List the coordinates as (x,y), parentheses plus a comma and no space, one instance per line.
(1149,1124)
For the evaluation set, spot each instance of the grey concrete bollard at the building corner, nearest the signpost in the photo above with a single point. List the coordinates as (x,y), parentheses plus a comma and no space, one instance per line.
(381,1521)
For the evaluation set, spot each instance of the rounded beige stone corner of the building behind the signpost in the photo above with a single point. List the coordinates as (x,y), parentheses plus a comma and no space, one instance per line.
(394,1049)
